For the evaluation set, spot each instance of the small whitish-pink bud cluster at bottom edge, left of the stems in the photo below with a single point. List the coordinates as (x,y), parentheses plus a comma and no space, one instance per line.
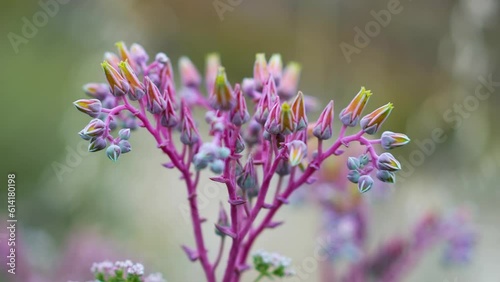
(125,271)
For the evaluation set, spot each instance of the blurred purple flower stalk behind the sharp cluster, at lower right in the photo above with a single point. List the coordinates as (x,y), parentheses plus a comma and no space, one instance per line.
(345,232)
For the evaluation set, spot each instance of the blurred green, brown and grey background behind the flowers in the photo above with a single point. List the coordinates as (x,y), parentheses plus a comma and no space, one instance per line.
(74,207)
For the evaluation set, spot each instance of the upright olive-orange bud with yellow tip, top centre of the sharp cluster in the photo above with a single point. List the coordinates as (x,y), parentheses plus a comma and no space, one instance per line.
(222,93)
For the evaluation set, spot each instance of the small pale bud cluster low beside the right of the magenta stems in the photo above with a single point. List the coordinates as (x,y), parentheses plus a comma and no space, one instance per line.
(272,265)
